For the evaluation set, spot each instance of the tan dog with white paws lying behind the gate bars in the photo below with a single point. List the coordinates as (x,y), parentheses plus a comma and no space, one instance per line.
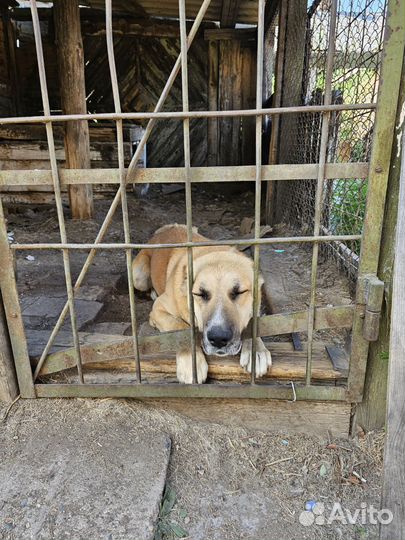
(223,299)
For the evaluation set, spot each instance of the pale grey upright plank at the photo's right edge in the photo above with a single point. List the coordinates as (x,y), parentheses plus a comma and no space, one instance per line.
(394,457)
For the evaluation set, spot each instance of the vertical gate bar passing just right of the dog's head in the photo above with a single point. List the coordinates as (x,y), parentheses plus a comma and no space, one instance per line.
(258,180)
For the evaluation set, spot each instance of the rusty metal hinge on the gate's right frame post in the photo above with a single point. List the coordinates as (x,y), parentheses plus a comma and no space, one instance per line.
(373,294)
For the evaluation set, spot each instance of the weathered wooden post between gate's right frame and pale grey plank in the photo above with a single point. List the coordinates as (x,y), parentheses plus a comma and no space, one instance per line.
(370,414)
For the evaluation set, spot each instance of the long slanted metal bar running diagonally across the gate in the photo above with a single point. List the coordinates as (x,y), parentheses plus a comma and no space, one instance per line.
(117,198)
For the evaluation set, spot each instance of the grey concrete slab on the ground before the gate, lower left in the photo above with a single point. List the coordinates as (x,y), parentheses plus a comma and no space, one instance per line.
(80,469)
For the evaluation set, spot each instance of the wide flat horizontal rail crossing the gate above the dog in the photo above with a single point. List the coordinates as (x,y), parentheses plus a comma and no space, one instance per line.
(176,175)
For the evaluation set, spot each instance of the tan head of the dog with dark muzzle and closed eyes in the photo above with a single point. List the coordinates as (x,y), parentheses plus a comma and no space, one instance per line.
(223,300)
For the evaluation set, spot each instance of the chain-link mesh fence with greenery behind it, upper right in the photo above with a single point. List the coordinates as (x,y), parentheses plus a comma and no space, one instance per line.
(359,41)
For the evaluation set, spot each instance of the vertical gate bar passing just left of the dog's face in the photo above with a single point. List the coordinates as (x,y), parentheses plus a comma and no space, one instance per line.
(187,166)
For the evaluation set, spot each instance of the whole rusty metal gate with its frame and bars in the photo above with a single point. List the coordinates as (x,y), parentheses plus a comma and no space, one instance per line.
(360,318)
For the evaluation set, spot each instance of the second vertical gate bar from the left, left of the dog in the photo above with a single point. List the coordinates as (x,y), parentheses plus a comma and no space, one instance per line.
(121,168)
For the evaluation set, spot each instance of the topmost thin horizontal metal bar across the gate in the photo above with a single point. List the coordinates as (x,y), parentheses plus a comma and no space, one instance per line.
(180,115)
